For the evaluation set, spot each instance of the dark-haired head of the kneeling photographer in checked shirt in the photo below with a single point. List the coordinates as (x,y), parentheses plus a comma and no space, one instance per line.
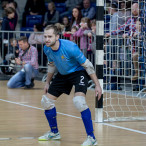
(23,42)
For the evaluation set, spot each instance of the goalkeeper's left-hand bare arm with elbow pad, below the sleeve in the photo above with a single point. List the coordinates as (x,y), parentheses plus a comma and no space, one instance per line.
(51,70)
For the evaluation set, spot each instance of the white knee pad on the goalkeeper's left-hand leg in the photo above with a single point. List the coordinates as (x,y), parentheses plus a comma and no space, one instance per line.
(47,103)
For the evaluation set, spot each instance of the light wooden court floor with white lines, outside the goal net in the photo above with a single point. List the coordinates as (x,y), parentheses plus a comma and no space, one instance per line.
(22,120)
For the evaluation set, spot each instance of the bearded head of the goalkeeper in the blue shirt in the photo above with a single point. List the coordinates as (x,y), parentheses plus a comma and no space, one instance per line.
(51,35)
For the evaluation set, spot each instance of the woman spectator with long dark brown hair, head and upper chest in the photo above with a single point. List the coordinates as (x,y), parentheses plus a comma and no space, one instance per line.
(76,17)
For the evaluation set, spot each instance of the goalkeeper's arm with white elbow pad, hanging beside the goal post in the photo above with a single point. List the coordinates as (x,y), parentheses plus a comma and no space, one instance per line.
(91,72)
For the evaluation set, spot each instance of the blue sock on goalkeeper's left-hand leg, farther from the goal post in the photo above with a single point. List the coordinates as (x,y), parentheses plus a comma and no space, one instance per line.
(51,117)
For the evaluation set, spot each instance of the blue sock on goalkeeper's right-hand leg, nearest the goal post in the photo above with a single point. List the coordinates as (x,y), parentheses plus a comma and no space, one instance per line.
(87,120)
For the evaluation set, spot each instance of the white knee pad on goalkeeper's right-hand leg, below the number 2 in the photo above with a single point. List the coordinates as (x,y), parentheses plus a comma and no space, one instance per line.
(80,103)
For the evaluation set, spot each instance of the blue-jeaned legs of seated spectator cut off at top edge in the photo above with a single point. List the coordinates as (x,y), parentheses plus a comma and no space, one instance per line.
(70,4)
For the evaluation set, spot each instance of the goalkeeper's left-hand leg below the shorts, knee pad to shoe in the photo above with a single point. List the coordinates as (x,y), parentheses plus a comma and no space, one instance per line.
(48,104)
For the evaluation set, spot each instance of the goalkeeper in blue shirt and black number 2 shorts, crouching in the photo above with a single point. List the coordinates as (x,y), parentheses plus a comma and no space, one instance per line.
(73,69)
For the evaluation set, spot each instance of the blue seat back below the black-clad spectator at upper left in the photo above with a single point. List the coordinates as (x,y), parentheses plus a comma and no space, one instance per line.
(33,19)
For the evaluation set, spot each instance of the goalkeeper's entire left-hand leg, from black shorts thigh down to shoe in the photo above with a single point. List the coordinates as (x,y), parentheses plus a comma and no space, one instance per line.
(48,103)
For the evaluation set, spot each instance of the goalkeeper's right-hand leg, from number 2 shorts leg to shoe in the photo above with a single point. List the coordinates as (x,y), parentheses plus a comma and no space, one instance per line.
(81,84)
